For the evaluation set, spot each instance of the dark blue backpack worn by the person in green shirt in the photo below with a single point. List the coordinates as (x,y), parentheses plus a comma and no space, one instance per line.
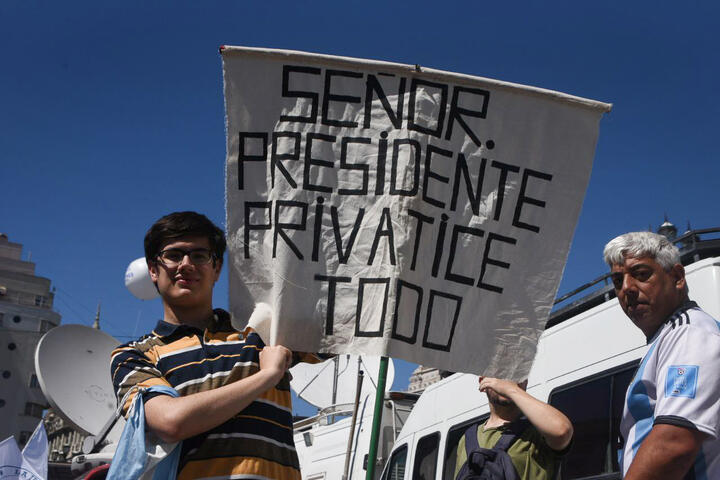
(490,463)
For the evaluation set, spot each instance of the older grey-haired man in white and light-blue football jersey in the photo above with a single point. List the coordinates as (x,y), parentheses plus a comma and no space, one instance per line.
(671,418)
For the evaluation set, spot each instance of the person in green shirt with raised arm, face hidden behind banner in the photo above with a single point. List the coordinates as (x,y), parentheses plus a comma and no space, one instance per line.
(536,452)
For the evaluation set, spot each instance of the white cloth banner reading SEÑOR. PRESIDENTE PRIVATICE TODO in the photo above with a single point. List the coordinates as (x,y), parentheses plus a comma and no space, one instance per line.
(395,210)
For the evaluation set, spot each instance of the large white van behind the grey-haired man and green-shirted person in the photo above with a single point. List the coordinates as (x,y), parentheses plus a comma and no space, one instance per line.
(586,359)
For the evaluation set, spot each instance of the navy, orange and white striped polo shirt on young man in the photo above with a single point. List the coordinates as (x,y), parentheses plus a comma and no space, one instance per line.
(257,443)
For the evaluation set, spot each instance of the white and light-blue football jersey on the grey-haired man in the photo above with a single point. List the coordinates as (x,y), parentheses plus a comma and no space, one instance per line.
(678,383)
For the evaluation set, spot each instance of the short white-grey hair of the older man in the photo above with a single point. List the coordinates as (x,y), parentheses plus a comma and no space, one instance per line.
(641,244)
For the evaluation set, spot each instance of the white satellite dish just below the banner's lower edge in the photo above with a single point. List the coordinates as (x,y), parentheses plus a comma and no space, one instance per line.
(314,382)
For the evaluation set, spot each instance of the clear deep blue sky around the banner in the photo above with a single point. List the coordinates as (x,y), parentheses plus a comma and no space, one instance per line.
(112,114)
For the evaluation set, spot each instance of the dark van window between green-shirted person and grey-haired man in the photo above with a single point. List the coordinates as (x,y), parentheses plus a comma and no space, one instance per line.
(594,406)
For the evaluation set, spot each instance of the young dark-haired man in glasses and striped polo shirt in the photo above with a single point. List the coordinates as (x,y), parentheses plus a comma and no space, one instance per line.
(234,411)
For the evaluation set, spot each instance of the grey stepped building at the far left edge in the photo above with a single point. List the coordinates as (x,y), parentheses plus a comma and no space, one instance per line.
(26,313)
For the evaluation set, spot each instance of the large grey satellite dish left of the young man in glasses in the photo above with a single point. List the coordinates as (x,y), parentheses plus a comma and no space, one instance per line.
(72,363)
